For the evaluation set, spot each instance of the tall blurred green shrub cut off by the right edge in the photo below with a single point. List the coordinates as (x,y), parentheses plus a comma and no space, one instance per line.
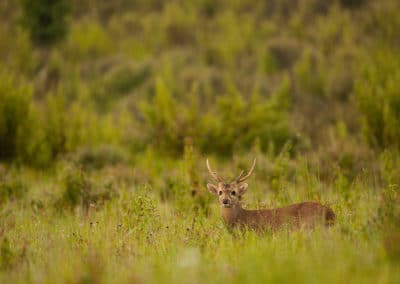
(378,98)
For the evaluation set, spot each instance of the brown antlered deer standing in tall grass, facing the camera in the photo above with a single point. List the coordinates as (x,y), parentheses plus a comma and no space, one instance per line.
(294,216)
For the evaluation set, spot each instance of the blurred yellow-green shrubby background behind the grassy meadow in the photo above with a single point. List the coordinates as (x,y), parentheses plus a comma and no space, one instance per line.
(105,81)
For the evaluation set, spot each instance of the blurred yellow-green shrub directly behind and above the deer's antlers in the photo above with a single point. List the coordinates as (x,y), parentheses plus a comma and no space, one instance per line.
(238,124)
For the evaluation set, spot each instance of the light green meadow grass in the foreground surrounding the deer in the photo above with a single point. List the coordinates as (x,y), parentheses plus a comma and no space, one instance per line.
(137,237)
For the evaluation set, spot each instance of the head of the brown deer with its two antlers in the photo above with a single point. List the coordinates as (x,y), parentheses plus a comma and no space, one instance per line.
(229,193)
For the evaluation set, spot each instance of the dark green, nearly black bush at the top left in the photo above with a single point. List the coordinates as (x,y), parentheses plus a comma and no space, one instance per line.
(45,19)
